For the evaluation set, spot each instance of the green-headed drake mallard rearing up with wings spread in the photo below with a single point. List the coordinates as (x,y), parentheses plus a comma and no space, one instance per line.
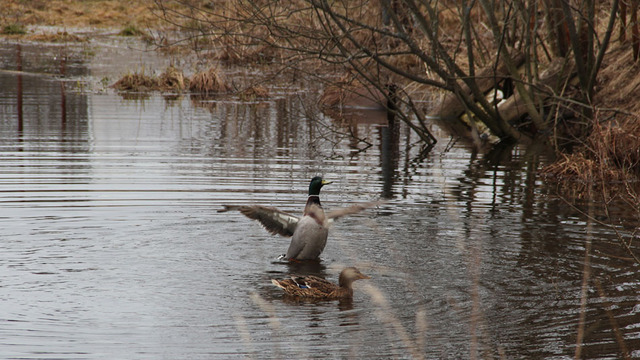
(309,233)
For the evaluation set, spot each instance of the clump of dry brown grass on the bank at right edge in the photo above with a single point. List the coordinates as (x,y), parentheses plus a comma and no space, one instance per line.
(610,154)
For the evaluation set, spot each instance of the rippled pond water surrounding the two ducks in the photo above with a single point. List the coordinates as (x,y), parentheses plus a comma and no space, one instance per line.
(111,246)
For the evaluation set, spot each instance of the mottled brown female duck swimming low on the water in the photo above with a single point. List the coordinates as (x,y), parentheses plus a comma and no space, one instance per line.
(318,288)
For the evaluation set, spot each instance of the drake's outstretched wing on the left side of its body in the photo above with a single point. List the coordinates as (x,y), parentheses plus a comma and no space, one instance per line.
(273,220)
